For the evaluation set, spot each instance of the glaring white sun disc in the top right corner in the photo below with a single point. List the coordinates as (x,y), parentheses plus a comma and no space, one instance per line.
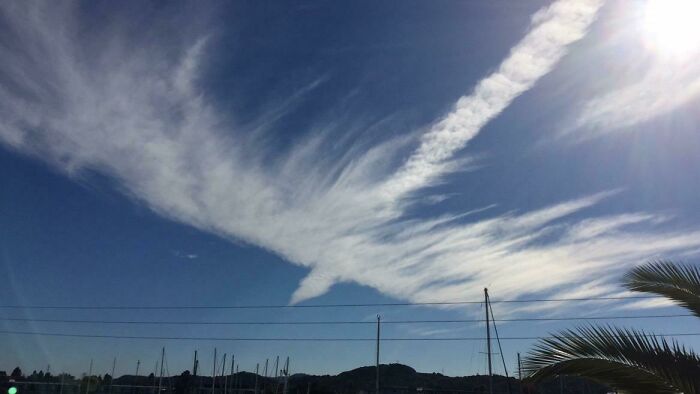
(673,26)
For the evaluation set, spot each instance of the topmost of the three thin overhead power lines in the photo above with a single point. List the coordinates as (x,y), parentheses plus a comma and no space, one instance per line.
(382,304)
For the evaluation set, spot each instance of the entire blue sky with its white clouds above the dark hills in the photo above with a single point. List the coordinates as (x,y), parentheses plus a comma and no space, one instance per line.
(324,152)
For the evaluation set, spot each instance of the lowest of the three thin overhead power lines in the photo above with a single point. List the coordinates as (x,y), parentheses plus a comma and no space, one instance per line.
(284,339)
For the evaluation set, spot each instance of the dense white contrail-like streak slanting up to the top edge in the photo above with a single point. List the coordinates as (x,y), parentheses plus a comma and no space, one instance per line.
(552,29)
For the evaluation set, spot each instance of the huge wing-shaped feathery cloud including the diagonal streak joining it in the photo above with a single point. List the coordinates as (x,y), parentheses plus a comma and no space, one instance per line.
(137,115)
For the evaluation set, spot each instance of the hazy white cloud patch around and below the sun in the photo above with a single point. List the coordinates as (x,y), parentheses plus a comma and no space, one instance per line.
(648,77)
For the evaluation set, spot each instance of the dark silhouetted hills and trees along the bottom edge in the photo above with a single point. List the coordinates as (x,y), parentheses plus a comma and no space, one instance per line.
(396,379)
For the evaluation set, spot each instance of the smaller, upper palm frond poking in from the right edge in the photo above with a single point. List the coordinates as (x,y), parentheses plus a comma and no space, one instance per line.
(678,282)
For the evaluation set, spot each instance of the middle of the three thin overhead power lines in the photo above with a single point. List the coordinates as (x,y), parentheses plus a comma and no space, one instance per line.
(336,322)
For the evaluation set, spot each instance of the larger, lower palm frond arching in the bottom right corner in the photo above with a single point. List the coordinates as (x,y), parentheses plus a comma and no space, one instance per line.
(629,360)
